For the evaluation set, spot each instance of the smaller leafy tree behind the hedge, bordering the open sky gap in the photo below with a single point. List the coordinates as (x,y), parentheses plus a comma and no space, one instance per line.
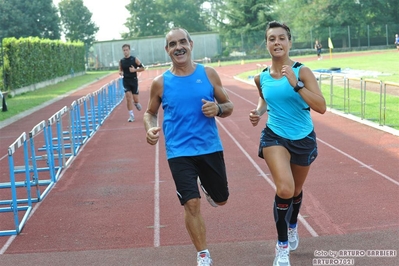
(76,22)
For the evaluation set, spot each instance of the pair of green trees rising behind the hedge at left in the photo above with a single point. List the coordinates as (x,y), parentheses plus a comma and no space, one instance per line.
(41,18)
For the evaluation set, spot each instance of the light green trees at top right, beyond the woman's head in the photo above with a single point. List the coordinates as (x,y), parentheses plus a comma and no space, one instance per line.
(337,15)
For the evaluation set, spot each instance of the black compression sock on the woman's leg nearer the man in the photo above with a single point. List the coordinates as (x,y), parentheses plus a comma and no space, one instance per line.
(282,212)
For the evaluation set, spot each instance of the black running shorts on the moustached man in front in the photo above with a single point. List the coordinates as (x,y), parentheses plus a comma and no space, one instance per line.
(211,170)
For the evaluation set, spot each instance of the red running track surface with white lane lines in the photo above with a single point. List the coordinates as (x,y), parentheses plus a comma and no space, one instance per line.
(109,208)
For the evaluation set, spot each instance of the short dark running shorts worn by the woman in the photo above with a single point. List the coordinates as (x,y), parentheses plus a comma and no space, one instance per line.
(303,151)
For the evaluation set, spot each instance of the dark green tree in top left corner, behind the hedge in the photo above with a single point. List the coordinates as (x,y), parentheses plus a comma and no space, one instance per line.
(26,18)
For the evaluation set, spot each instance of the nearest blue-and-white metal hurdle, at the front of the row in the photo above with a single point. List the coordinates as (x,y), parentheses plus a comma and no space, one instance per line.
(15,203)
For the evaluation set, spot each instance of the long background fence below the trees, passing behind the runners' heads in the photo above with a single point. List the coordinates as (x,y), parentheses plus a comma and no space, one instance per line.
(248,45)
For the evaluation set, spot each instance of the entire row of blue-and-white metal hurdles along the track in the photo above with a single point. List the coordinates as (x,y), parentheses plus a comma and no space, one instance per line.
(36,160)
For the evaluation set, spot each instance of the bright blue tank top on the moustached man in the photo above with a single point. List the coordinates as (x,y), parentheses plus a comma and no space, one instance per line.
(188,132)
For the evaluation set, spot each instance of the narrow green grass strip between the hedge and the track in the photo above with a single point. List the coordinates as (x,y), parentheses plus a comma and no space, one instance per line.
(29,100)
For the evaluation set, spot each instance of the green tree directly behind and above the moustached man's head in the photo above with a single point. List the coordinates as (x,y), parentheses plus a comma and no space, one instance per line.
(155,17)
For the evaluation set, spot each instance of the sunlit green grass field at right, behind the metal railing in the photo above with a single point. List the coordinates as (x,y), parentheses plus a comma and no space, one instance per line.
(372,108)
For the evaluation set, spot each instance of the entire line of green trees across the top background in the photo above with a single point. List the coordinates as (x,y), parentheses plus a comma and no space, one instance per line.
(72,19)
